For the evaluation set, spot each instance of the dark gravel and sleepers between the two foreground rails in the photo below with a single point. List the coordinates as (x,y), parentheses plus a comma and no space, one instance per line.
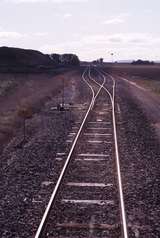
(66,213)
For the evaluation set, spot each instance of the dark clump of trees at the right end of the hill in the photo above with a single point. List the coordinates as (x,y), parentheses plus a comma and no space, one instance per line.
(65,59)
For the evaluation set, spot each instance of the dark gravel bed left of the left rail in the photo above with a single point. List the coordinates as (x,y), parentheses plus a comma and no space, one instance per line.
(29,171)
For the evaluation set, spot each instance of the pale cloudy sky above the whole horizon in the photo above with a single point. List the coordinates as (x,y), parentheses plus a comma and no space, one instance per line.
(89,28)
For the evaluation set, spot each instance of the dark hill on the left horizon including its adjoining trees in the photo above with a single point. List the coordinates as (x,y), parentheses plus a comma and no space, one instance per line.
(22,60)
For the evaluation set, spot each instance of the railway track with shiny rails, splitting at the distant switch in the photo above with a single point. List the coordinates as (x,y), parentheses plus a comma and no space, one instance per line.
(87,200)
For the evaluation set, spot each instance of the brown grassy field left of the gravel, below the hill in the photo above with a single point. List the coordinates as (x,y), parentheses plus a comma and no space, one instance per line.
(31,90)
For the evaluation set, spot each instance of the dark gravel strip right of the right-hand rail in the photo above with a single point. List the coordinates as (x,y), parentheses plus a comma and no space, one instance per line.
(140,162)
